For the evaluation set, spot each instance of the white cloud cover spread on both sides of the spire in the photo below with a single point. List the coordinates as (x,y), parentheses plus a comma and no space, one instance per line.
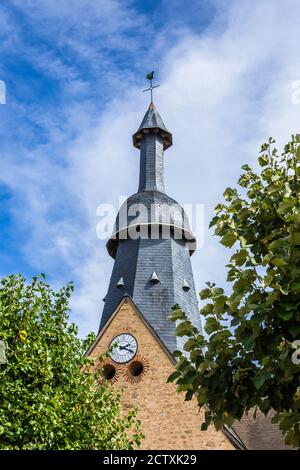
(222,93)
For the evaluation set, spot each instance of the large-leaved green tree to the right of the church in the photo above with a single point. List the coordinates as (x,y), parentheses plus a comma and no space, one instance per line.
(249,358)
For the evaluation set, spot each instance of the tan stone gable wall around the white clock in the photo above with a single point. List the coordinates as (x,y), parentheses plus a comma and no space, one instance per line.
(168,421)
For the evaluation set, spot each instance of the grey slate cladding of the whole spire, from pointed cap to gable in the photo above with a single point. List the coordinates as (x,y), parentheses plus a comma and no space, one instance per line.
(169,258)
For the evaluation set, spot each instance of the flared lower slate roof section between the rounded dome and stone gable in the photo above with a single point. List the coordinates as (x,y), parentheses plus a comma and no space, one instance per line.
(135,262)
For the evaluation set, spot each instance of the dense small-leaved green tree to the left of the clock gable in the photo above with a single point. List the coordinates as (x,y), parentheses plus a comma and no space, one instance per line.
(50,397)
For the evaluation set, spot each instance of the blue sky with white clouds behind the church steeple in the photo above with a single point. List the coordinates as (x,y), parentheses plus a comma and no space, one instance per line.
(74,72)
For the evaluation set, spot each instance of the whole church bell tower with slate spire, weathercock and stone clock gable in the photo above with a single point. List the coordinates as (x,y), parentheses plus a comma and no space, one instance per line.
(151,245)
